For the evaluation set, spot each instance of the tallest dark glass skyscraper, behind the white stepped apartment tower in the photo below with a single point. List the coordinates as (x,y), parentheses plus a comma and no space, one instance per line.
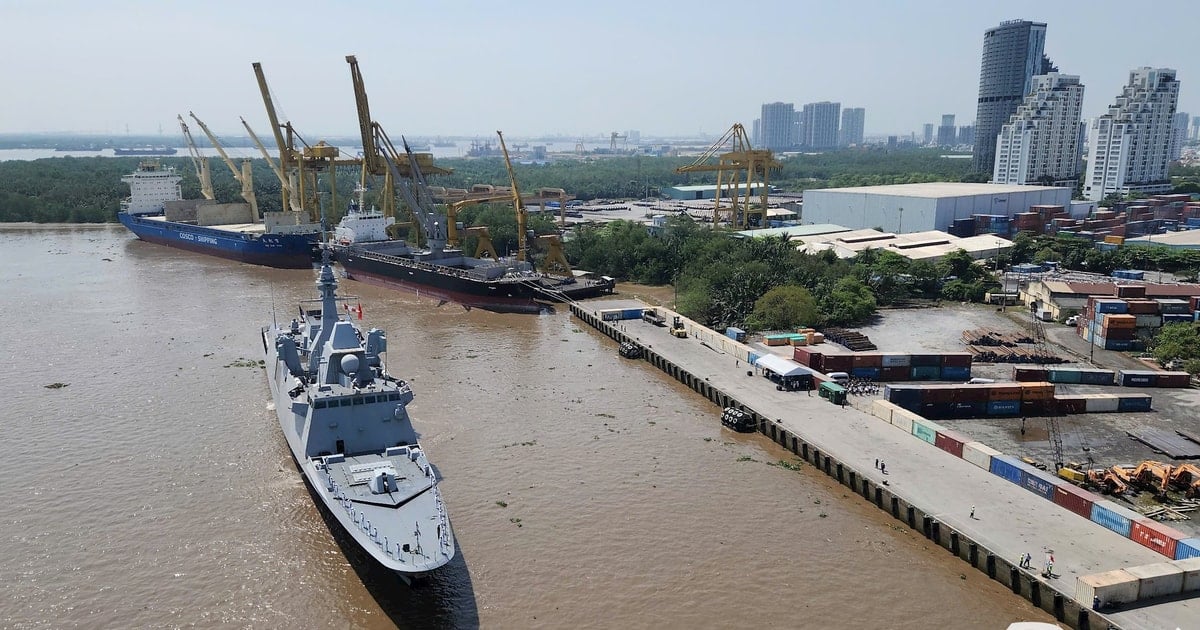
(1012,57)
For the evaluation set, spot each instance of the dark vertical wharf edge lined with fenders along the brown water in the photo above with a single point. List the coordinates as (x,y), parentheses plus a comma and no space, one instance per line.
(1045,596)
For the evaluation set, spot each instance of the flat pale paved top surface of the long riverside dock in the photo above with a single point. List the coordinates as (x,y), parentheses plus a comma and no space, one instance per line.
(1009,520)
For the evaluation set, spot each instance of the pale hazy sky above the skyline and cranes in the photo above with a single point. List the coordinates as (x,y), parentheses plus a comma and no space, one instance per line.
(531,68)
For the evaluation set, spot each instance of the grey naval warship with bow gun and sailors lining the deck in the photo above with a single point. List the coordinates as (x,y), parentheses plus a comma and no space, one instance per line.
(346,422)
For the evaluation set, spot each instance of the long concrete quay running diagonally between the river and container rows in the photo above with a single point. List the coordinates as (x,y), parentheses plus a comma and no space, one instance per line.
(929,490)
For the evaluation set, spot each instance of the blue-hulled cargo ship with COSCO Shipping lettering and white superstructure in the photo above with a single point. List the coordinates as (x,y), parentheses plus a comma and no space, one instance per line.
(158,213)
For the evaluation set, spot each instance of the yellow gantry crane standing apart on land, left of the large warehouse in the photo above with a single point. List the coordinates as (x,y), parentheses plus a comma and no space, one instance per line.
(739,171)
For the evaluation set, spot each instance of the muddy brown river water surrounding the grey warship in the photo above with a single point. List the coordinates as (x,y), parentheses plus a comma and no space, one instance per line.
(155,490)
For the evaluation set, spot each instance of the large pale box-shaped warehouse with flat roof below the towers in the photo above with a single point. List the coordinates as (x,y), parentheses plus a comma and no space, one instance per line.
(925,207)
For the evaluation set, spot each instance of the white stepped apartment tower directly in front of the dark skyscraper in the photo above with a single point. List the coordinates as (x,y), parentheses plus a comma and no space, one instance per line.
(1040,145)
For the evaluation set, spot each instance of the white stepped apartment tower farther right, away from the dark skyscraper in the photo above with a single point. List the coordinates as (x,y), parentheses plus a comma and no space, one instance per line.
(1129,147)
